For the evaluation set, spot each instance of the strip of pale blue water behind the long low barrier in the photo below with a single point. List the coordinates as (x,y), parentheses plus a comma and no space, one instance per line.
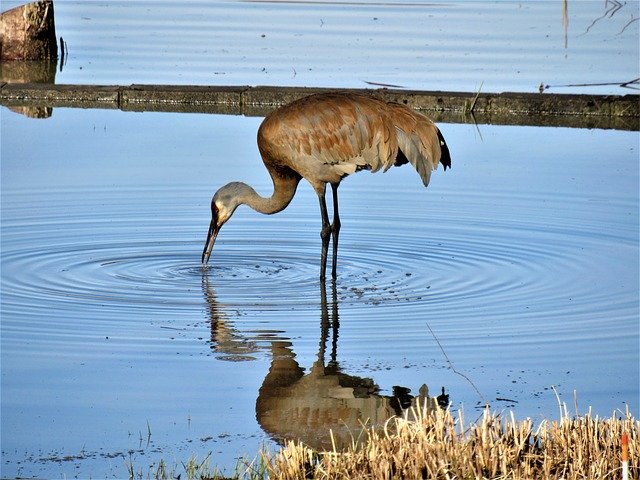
(456,46)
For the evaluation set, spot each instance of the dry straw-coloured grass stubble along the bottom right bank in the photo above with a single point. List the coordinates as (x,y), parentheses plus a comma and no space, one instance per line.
(437,444)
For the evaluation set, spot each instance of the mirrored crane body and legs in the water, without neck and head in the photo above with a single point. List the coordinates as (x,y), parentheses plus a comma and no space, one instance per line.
(325,408)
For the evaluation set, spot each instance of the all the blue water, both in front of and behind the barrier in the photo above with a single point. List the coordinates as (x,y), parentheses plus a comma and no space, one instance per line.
(513,274)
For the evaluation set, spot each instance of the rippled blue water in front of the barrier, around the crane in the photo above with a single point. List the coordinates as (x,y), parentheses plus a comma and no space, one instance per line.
(514,272)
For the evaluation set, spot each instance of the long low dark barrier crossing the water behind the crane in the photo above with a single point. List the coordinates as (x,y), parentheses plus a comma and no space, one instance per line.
(620,112)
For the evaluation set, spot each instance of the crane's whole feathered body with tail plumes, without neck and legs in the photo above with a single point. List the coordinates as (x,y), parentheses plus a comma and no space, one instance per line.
(328,136)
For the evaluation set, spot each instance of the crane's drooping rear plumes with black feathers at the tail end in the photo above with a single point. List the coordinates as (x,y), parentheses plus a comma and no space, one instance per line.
(419,140)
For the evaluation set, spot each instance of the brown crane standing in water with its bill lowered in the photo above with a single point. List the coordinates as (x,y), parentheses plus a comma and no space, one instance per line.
(323,138)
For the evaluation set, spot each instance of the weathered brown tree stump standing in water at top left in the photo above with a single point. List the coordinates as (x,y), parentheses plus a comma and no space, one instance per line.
(28,32)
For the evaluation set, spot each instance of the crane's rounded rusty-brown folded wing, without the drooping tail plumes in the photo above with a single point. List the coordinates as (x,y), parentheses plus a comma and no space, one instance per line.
(326,137)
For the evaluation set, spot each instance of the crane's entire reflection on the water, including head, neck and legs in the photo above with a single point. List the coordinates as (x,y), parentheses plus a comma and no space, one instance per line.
(326,407)
